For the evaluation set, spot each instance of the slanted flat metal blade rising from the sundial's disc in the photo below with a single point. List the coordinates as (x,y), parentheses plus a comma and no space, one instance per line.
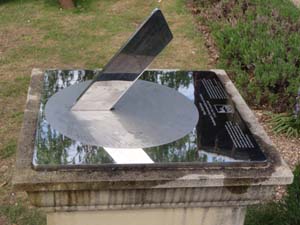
(126,66)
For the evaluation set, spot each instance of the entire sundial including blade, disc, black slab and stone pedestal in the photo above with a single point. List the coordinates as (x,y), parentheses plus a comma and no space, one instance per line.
(161,146)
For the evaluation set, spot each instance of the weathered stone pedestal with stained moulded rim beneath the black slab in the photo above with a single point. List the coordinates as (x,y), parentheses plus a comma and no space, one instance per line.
(197,194)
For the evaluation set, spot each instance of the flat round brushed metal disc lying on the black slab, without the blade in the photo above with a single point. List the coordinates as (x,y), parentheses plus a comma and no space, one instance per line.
(148,115)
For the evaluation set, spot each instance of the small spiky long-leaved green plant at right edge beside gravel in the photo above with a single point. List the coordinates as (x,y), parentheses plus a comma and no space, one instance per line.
(286,124)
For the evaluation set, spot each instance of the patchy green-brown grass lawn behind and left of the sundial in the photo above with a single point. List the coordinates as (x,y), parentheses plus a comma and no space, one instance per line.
(36,33)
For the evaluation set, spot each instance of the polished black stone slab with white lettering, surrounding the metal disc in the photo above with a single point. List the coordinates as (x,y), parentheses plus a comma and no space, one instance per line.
(220,136)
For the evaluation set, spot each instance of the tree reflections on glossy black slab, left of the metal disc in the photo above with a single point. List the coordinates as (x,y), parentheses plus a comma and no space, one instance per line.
(52,147)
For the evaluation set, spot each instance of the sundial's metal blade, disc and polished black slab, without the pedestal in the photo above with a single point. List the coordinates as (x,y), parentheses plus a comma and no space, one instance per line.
(125,114)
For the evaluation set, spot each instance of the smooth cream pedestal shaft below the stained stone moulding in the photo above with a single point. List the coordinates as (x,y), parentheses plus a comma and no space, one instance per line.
(158,216)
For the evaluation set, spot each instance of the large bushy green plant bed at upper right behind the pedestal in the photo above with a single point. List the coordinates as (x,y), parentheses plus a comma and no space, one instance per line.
(259,44)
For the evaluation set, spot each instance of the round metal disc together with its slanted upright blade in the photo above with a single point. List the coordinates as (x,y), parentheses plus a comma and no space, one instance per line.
(116,110)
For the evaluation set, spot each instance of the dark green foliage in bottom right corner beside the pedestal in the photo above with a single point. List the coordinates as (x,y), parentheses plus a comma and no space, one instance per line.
(285,212)
